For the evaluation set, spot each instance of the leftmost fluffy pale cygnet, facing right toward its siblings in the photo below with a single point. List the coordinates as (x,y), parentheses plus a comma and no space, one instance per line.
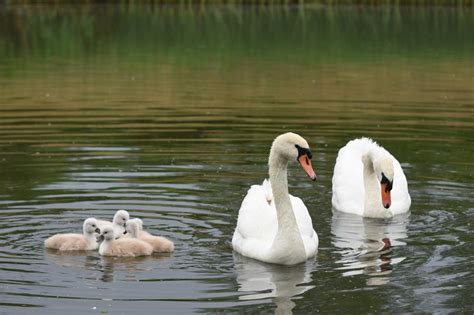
(72,241)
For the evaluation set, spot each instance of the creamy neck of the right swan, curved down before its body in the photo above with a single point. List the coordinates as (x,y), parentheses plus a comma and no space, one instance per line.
(372,202)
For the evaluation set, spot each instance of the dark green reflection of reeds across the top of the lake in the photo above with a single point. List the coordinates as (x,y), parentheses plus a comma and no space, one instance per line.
(191,33)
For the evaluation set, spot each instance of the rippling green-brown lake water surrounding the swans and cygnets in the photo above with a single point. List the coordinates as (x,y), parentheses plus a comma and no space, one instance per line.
(169,112)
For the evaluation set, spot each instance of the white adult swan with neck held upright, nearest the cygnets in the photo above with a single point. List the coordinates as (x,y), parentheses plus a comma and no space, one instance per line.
(274,226)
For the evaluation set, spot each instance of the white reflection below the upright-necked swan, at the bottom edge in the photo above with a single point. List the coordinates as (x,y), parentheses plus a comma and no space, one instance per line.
(281,283)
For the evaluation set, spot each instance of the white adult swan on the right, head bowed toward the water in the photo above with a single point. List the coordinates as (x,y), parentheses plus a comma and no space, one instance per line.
(369,181)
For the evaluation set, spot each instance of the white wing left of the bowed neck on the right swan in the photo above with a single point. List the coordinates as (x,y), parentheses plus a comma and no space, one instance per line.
(347,182)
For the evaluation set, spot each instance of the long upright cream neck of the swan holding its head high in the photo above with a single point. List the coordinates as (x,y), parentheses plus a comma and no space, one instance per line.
(288,241)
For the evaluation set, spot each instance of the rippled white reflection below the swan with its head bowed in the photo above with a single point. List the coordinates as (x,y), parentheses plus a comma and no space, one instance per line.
(366,245)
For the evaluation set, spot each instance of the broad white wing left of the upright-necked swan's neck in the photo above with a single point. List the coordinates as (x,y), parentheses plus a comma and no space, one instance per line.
(256,224)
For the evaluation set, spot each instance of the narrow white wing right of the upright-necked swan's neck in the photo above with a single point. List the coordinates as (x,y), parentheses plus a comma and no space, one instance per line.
(305,225)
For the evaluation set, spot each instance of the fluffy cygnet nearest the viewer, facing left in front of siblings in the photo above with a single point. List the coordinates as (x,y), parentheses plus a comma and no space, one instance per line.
(125,247)
